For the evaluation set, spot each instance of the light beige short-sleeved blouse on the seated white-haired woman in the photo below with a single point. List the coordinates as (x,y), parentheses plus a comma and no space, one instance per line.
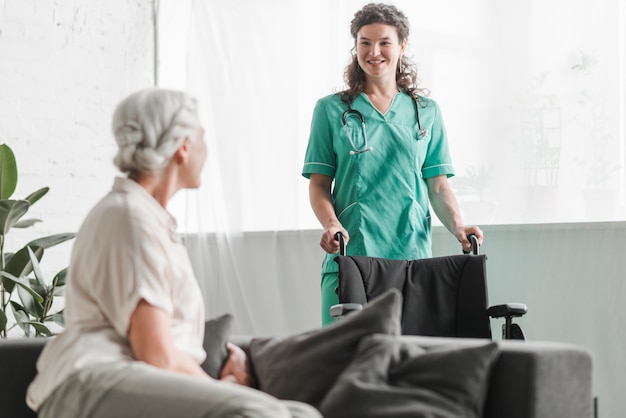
(126,250)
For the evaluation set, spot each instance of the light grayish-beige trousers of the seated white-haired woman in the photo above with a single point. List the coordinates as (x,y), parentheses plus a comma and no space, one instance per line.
(135,389)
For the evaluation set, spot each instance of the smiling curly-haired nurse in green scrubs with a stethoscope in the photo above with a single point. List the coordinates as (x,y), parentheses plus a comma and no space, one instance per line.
(385,147)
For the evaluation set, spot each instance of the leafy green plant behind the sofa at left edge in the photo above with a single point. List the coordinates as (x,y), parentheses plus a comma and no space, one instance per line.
(29,298)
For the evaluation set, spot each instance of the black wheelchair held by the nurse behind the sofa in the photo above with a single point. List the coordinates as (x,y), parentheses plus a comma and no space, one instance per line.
(442,296)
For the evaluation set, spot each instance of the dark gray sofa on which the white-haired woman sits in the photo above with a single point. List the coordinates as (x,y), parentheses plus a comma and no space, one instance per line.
(527,379)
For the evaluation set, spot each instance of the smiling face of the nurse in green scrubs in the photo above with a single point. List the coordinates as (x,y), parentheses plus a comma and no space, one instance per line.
(378,50)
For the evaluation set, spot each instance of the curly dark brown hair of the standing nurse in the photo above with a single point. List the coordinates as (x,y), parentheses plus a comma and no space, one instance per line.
(406,73)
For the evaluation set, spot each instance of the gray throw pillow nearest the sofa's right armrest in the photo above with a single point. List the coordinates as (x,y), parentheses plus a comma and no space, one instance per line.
(393,377)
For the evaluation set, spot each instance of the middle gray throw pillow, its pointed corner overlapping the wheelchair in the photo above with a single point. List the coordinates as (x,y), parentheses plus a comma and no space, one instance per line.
(305,366)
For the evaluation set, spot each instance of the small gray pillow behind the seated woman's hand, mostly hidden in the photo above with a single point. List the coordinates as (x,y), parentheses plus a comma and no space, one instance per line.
(216,335)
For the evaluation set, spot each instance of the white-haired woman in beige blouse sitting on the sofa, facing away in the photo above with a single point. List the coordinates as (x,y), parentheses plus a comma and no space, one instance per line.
(134,314)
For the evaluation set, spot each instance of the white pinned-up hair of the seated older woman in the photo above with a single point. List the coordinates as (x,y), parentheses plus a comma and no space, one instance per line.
(150,125)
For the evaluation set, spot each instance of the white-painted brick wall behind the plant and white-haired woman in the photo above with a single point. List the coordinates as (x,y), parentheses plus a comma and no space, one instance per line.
(64,65)
